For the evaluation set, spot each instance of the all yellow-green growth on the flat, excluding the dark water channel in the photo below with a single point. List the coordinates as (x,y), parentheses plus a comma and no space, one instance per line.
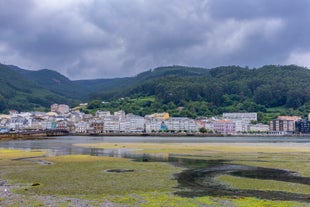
(151,183)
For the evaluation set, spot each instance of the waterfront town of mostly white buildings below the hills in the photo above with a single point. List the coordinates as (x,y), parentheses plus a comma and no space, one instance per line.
(62,118)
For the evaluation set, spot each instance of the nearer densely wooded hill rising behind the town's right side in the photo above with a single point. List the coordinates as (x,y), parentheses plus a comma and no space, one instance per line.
(201,92)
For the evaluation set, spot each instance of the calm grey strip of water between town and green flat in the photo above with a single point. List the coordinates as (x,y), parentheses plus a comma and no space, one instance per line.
(65,145)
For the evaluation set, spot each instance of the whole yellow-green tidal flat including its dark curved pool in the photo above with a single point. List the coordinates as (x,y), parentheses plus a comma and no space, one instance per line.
(170,174)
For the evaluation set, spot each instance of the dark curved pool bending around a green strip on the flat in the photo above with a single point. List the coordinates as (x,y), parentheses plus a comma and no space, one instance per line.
(201,181)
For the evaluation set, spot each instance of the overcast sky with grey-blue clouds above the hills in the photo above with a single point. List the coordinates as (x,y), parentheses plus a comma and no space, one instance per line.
(91,39)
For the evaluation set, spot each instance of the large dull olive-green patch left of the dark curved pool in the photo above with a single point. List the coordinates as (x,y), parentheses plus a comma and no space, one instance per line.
(85,175)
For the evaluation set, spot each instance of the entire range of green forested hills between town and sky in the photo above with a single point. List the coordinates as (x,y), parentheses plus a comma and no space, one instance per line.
(182,91)
